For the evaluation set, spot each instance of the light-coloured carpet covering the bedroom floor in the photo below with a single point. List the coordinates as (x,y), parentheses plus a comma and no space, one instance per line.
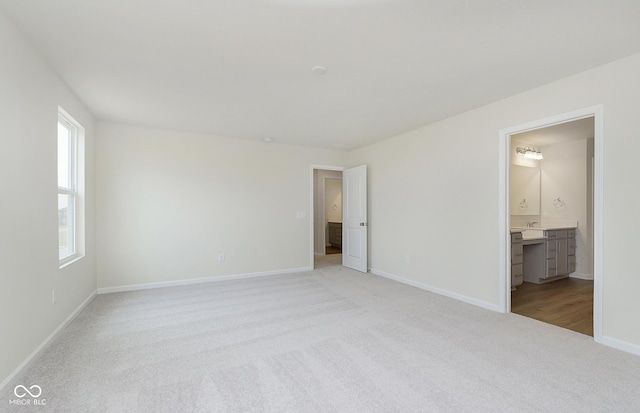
(331,340)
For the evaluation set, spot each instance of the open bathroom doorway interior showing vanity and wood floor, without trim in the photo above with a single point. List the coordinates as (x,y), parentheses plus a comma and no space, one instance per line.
(551,204)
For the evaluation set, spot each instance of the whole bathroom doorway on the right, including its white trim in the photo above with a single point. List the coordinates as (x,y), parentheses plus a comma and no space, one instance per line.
(539,273)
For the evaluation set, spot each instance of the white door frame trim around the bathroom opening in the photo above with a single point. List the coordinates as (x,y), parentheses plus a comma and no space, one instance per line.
(504,239)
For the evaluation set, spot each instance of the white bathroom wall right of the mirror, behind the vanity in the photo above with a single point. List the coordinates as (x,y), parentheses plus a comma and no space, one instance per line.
(564,176)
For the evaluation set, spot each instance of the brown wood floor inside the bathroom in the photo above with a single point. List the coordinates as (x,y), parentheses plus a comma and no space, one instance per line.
(565,303)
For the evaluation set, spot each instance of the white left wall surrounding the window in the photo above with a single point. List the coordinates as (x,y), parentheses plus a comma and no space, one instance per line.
(29,99)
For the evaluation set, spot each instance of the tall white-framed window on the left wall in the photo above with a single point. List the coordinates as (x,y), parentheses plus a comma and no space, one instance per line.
(69,204)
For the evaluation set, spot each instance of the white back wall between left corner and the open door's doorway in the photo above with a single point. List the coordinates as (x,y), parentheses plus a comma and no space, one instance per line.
(170,202)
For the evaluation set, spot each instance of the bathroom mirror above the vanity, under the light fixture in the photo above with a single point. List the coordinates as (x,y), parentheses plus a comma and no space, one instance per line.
(524,190)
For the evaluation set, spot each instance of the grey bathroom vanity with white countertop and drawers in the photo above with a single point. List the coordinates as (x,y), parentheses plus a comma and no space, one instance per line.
(541,255)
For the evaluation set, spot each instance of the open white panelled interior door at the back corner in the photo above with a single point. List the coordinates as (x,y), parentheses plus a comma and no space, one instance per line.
(354,221)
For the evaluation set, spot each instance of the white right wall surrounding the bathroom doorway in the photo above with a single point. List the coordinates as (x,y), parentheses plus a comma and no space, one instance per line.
(433,195)
